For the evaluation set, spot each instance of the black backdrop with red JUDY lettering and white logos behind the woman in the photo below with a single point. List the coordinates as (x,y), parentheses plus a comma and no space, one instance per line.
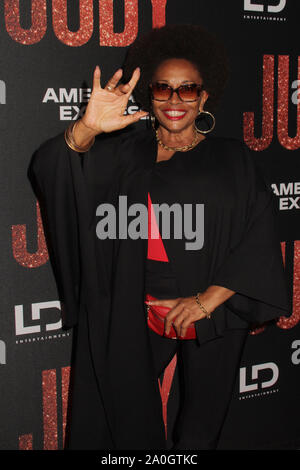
(49,49)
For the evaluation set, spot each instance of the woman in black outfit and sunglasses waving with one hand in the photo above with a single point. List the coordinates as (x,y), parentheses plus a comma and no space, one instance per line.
(208,291)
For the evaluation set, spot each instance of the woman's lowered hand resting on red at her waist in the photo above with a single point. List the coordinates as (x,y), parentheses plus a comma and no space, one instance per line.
(184,311)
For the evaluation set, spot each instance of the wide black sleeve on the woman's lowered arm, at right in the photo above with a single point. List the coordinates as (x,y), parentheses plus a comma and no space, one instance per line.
(253,266)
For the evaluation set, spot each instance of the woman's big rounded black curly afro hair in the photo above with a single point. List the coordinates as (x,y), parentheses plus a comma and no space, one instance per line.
(186,41)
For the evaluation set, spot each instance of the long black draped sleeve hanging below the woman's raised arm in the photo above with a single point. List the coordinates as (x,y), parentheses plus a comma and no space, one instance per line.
(50,173)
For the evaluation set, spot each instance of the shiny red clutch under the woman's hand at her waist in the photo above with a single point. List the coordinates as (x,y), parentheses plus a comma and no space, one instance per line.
(156,321)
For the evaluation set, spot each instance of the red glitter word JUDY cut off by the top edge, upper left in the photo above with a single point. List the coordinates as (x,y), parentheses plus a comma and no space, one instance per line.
(107,36)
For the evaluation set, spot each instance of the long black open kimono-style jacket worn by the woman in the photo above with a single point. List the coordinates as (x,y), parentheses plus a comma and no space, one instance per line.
(101,282)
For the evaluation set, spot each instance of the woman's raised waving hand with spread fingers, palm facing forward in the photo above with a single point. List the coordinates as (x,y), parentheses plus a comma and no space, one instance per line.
(106,107)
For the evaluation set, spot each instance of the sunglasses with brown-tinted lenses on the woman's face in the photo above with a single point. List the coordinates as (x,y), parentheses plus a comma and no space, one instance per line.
(164,92)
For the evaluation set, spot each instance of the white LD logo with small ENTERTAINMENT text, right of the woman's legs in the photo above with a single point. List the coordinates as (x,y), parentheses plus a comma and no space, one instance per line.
(263,376)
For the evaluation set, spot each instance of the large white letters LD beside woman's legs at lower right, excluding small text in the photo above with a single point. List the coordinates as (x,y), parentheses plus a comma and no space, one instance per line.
(270,366)
